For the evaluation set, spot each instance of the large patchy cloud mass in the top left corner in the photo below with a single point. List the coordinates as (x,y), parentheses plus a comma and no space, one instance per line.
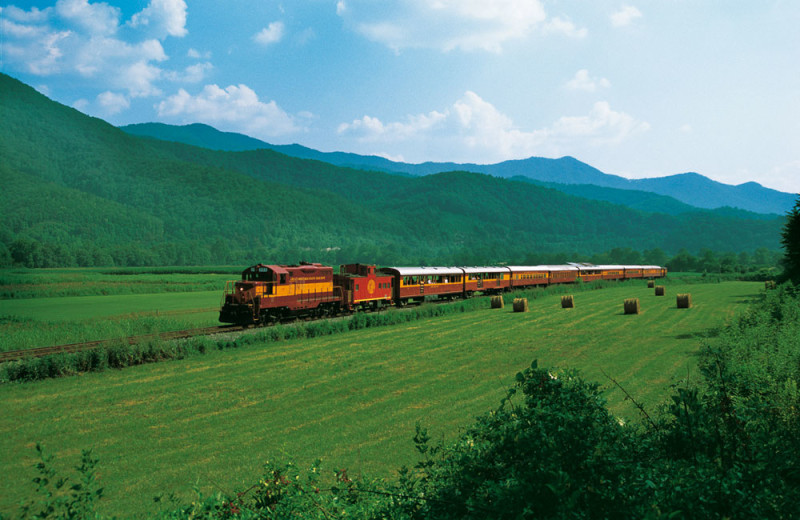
(79,37)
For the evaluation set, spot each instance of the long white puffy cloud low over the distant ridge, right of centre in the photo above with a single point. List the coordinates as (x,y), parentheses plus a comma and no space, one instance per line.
(473,127)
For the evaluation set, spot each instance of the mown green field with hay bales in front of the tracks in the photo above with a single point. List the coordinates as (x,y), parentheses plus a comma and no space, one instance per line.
(352,399)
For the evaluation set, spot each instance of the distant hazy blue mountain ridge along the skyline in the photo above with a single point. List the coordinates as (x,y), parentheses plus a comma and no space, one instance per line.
(689,188)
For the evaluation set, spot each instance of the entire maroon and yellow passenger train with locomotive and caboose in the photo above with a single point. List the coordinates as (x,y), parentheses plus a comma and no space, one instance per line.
(272,293)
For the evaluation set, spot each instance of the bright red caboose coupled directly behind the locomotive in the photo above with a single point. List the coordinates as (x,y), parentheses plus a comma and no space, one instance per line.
(362,287)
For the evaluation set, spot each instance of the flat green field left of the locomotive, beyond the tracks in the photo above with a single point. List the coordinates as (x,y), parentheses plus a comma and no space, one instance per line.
(57,306)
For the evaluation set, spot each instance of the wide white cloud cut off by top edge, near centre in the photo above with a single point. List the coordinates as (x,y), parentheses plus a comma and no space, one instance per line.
(450,24)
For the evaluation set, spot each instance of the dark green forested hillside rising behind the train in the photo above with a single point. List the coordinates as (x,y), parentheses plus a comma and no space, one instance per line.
(82,192)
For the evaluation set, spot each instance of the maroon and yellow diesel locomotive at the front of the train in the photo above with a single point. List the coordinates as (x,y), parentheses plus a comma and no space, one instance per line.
(273,292)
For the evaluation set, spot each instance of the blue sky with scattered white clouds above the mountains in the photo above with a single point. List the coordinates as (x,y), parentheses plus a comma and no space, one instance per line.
(633,88)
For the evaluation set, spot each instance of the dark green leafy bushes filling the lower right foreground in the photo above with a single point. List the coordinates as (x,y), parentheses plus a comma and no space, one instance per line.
(725,447)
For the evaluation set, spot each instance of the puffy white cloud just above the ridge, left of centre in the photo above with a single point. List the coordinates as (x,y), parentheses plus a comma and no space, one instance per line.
(235,108)
